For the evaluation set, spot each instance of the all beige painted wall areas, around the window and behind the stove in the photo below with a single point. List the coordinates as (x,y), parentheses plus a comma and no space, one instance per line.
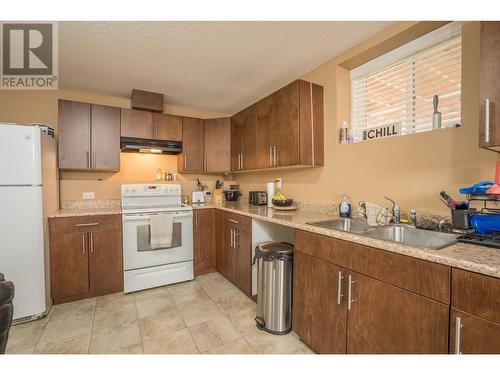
(409,169)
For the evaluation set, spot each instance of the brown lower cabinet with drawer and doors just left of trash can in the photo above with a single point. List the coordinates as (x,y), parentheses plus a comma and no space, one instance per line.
(234,255)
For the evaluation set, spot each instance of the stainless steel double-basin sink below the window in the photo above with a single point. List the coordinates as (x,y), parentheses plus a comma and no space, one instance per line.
(400,233)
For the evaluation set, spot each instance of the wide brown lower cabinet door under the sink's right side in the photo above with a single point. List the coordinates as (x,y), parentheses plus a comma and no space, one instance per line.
(387,319)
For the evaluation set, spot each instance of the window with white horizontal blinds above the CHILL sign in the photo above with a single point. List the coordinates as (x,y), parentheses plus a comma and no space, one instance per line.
(398,87)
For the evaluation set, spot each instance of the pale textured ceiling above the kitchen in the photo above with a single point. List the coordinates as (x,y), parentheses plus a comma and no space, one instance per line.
(221,66)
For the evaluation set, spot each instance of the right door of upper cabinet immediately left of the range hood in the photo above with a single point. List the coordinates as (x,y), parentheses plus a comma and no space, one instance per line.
(105,137)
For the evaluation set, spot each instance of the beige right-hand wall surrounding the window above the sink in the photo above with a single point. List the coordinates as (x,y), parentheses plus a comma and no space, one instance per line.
(410,169)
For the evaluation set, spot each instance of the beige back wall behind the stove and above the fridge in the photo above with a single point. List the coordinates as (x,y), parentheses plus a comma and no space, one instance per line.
(41,106)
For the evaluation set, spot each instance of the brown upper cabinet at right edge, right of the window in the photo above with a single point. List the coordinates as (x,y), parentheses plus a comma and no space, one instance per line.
(489,85)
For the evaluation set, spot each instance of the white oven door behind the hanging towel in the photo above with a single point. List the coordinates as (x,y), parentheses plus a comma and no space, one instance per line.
(137,252)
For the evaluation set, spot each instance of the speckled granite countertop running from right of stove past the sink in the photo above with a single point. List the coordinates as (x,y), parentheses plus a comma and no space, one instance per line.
(473,258)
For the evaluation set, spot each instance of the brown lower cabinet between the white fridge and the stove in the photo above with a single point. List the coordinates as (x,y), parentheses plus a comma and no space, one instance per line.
(86,257)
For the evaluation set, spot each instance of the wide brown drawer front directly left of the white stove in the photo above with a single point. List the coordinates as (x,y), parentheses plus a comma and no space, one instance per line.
(81,224)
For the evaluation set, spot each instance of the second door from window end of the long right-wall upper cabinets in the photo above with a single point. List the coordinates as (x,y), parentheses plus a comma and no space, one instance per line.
(265,139)
